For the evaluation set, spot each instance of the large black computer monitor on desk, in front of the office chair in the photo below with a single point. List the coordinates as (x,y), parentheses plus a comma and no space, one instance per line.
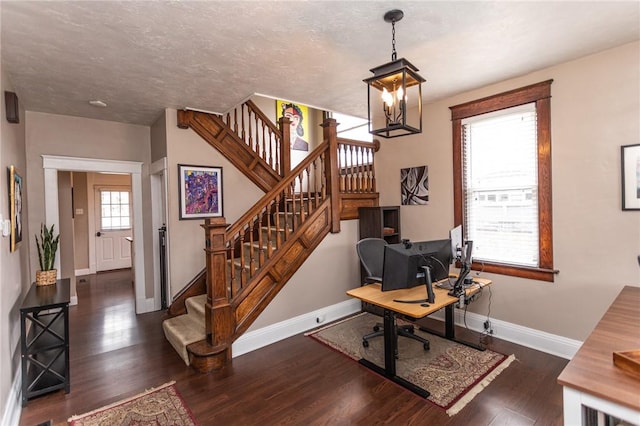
(406,264)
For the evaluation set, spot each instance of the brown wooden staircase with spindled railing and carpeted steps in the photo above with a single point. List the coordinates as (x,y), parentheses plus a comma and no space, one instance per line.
(248,262)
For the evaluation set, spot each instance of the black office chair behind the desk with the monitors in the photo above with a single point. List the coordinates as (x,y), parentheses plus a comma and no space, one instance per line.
(371,254)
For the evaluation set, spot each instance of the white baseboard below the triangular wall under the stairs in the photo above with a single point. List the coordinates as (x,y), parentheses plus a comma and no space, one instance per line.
(273,333)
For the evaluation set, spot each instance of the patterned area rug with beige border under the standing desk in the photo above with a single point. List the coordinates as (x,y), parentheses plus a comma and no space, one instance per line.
(453,373)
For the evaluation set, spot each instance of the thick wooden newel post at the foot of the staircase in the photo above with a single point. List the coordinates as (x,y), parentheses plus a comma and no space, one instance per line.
(219,319)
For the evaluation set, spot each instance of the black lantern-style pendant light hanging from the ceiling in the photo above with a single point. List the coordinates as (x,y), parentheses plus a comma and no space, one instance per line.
(401,87)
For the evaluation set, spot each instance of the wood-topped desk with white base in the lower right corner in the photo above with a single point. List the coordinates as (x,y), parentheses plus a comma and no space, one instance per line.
(591,379)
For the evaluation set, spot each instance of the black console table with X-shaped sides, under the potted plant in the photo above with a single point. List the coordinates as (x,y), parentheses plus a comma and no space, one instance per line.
(44,328)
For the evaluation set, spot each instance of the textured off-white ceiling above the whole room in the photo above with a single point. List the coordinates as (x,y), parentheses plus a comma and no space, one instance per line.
(143,56)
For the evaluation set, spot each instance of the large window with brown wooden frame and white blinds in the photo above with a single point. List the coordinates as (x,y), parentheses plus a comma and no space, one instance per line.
(502,181)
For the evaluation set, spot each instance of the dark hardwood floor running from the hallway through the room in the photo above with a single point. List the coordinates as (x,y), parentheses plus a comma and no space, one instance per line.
(115,354)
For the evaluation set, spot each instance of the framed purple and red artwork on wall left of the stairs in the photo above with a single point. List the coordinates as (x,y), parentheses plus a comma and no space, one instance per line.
(200,191)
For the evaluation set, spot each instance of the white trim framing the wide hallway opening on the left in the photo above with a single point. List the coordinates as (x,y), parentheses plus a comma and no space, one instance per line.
(54,163)
